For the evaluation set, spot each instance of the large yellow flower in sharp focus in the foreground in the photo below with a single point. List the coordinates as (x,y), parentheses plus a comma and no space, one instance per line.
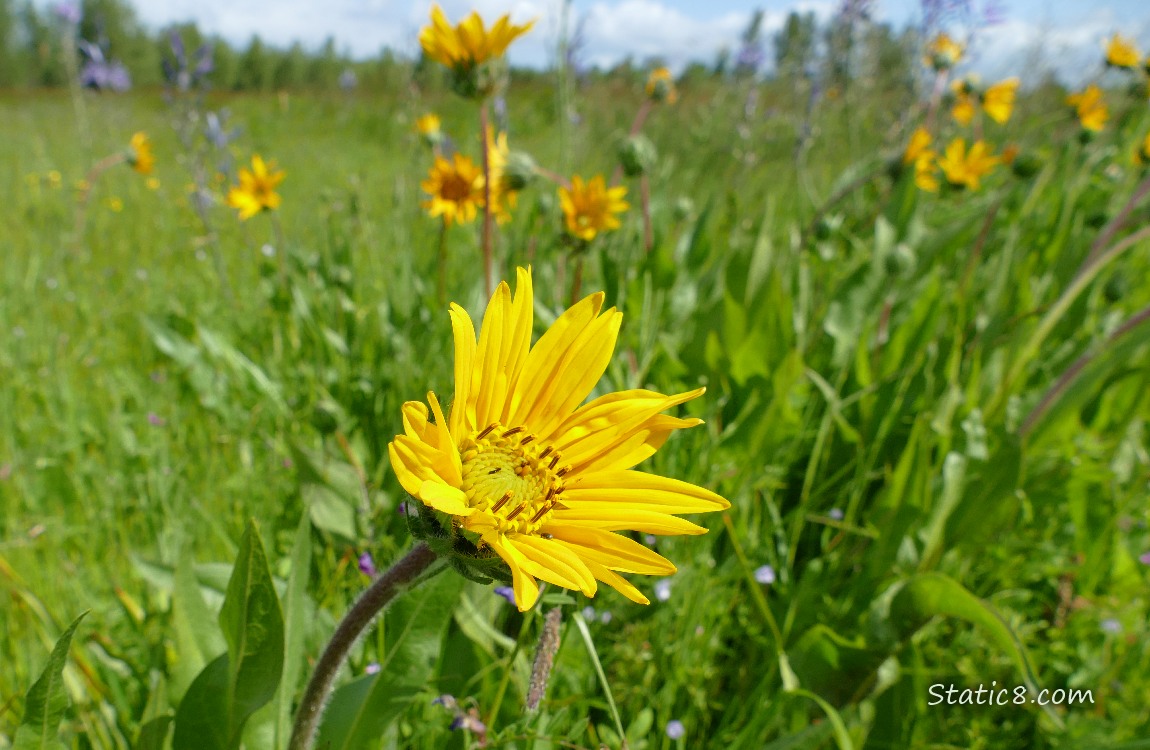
(527,473)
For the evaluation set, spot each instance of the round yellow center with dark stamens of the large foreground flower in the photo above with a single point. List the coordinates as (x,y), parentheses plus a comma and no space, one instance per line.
(511,478)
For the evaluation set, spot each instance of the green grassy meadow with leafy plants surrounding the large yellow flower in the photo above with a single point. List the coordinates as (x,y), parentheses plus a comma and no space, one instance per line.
(927,411)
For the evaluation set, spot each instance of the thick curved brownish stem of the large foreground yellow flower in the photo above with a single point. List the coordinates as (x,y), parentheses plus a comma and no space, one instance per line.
(396,580)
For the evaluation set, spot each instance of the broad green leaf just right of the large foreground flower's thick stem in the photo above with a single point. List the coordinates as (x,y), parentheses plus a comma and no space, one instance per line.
(361,713)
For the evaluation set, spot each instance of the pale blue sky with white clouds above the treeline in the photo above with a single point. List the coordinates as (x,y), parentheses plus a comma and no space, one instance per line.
(1067,34)
